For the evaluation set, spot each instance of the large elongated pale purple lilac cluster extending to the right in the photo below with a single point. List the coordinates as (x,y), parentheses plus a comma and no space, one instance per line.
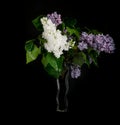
(98,42)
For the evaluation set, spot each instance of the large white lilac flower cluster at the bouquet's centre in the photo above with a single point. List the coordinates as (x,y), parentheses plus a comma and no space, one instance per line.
(56,42)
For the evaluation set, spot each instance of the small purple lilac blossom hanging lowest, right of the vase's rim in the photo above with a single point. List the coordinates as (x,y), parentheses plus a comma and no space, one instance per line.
(75,71)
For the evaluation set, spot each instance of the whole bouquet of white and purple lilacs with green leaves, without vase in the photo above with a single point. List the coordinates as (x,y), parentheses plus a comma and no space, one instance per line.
(62,44)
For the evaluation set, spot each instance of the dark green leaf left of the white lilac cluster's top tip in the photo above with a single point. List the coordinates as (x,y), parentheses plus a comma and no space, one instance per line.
(37,23)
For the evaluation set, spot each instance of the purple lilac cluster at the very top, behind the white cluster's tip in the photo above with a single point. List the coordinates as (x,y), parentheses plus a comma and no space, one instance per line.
(55,18)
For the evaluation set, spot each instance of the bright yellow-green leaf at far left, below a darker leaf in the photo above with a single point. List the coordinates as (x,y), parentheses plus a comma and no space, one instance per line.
(33,54)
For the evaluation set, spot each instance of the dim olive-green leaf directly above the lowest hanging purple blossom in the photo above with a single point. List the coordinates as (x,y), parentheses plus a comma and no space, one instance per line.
(80,58)
